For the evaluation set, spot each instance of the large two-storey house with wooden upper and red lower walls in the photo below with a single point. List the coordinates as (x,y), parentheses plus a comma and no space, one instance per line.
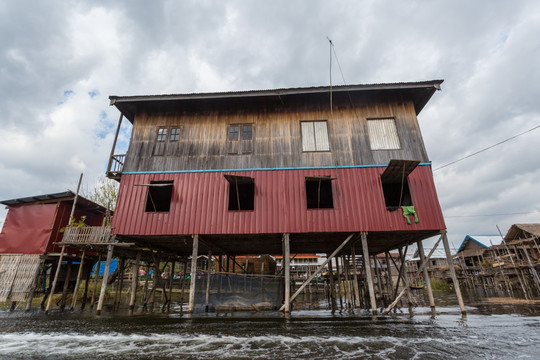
(298,170)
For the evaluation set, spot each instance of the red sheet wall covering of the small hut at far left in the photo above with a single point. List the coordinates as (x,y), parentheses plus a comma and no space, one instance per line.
(26,229)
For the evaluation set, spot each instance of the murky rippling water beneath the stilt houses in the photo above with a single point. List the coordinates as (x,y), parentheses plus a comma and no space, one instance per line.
(501,332)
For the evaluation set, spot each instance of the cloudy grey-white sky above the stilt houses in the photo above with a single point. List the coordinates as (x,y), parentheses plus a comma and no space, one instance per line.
(60,60)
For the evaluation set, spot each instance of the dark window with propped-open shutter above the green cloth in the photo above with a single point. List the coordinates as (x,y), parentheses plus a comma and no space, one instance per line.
(395,183)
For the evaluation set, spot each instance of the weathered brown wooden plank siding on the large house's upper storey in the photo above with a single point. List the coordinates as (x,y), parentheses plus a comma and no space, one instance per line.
(277,139)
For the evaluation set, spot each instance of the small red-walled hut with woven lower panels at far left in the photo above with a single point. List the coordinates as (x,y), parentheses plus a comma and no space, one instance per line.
(28,241)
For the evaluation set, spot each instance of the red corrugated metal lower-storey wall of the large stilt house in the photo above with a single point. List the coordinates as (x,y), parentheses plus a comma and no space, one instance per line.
(200,204)
